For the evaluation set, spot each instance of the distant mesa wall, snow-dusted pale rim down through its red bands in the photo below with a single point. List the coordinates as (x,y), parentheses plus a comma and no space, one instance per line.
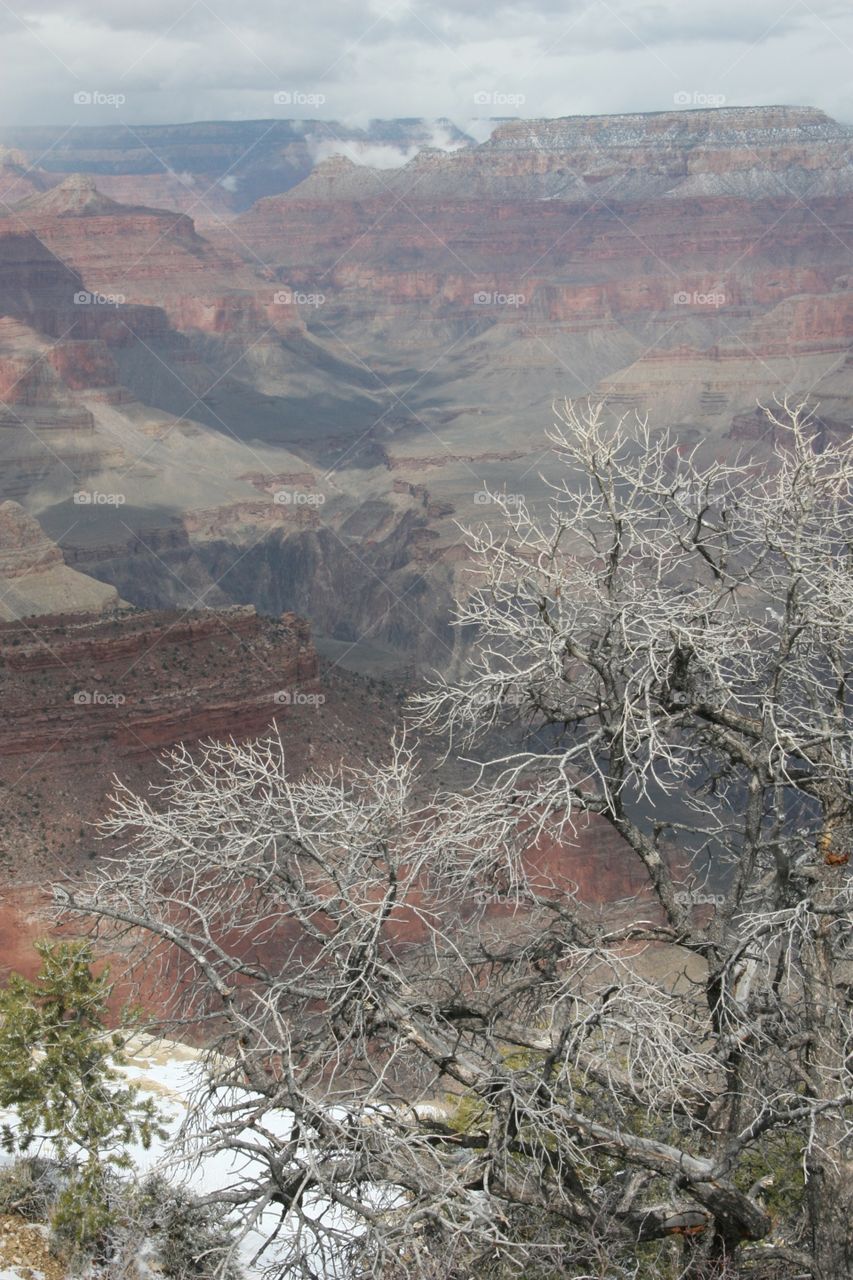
(692,222)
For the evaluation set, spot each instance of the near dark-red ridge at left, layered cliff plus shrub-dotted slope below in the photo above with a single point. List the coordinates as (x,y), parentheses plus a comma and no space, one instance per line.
(92,698)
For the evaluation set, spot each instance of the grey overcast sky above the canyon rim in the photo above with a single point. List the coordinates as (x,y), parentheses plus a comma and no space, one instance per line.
(168,61)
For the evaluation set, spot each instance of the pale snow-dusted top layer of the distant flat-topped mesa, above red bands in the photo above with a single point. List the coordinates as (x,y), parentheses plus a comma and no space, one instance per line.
(727,152)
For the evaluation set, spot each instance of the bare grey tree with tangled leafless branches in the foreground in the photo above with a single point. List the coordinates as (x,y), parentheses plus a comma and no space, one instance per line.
(439,1063)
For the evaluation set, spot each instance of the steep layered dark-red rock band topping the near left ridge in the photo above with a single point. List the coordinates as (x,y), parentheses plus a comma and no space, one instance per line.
(144,682)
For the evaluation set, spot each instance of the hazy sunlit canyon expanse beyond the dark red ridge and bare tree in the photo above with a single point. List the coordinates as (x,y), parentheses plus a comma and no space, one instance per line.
(297,403)
